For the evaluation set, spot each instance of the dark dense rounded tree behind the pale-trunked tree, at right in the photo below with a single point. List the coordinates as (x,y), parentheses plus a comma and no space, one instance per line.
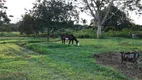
(118,21)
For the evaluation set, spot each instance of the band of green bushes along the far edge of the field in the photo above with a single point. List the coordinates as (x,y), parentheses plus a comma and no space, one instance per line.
(80,31)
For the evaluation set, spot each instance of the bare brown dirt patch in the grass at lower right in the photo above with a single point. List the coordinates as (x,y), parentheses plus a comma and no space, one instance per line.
(113,59)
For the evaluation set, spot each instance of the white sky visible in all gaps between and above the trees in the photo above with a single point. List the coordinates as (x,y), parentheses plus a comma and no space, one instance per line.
(17,8)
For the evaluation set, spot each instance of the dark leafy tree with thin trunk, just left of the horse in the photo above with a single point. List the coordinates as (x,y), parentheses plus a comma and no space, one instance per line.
(52,14)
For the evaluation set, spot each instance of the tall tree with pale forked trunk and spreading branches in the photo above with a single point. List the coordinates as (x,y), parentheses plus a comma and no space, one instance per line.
(97,7)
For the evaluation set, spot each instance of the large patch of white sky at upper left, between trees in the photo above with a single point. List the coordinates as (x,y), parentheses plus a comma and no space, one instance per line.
(17,8)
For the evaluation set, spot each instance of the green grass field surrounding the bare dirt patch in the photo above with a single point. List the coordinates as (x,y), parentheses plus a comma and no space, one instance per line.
(35,59)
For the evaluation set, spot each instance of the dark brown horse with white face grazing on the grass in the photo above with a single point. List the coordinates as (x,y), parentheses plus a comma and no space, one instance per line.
(69,37)
